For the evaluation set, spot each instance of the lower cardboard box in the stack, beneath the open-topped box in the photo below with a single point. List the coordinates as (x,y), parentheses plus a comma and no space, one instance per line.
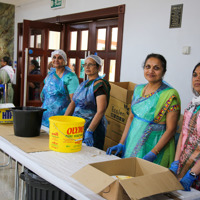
(114,130)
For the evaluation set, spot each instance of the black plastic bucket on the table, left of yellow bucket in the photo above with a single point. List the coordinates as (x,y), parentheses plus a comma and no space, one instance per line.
(27,121)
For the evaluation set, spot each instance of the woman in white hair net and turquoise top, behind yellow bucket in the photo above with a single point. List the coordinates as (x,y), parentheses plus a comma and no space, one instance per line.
(59,86)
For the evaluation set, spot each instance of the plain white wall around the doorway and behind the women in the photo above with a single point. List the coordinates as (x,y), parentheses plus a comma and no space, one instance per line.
(146,30)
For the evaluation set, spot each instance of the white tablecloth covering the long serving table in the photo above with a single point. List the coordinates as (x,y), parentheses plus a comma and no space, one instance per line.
(57,168)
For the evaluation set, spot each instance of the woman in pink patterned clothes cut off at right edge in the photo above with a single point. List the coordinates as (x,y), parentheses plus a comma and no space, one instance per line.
(187,160)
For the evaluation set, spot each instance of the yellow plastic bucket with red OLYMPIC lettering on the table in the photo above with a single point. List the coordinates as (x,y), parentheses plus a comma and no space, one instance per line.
(66,133)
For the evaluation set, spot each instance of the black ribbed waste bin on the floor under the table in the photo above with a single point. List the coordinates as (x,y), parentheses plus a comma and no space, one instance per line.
(39,189)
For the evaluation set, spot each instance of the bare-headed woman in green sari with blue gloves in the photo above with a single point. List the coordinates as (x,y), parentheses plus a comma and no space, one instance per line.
(155,109)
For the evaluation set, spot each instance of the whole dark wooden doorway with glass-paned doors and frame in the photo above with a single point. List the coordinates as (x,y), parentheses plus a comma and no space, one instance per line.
(95,32)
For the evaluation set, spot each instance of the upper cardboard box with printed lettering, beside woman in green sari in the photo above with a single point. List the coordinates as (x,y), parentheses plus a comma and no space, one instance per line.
(120,101)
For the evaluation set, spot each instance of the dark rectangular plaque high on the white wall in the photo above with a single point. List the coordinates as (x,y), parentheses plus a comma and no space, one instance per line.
(176,16)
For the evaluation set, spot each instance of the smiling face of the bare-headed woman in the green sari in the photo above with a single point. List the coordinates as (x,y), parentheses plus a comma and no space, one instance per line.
(153,70)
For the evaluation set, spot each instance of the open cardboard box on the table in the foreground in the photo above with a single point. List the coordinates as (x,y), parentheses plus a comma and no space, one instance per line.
(148,179)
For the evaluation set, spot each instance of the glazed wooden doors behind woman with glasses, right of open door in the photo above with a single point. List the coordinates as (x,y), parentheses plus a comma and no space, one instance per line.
(94,37)
